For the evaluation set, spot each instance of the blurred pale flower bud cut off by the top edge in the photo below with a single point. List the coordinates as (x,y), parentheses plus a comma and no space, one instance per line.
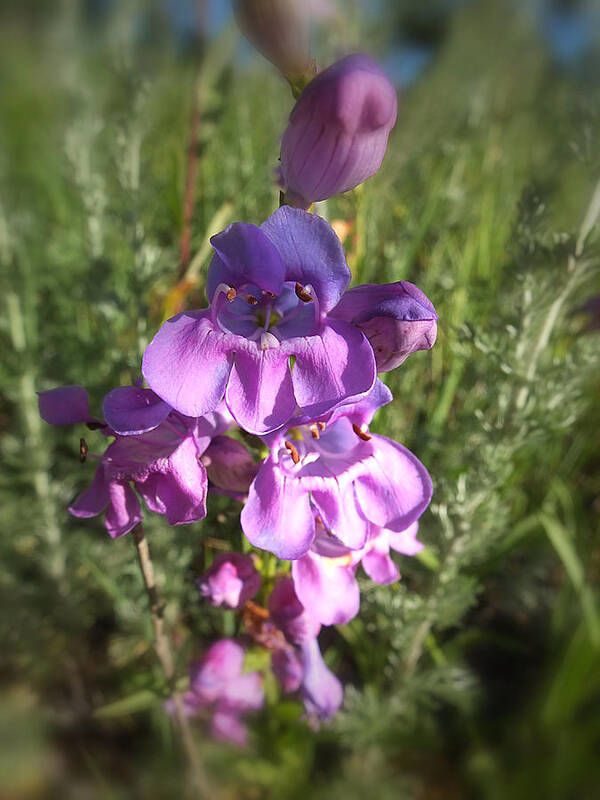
(279,29)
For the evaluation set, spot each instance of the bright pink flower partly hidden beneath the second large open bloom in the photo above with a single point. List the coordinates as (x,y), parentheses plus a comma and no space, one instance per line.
(324,578)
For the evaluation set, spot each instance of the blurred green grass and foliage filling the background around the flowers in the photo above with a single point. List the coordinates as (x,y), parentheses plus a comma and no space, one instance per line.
(477,675)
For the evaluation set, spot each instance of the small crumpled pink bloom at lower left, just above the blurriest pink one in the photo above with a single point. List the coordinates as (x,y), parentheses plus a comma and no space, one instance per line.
(230,580)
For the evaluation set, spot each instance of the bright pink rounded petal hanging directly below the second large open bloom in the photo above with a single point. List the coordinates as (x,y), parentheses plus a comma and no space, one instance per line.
(327,588)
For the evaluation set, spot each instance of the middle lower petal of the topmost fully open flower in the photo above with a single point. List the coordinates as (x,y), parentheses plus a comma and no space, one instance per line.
(259,393)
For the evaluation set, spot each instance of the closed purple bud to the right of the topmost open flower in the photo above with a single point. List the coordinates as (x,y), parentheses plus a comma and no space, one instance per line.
(397,319)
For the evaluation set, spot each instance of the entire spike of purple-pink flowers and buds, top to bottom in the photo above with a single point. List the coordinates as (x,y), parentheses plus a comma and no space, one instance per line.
(290,353)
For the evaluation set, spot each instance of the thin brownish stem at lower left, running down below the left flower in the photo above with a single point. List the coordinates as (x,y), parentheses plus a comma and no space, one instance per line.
(165,656)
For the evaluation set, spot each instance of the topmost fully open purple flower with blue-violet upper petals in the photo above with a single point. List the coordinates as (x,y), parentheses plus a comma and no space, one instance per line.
(271,290)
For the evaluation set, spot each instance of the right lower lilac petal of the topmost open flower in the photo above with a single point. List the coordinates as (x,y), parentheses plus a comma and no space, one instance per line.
(331,367)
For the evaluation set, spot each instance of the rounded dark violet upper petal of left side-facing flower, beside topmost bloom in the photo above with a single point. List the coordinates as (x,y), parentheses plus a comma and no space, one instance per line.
(131,410)
